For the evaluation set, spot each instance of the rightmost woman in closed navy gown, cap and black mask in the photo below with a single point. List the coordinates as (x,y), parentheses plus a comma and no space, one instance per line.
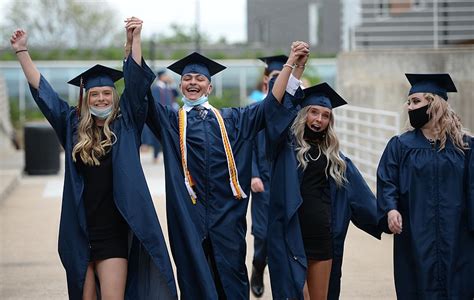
(425,196)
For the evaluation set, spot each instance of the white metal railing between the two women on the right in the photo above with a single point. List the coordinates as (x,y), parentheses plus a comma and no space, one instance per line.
(363,134)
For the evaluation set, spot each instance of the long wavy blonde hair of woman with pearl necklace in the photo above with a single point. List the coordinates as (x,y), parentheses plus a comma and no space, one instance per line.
(336,166)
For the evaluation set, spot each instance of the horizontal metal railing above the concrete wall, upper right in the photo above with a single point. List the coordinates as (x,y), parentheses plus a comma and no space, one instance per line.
(408,24)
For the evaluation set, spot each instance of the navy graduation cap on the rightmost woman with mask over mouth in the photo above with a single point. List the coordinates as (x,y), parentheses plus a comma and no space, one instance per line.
(439,84)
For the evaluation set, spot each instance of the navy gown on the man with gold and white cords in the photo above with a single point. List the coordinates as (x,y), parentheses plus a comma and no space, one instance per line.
(217,214)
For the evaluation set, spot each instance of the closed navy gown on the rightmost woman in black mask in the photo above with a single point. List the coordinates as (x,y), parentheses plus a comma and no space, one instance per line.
(434,254)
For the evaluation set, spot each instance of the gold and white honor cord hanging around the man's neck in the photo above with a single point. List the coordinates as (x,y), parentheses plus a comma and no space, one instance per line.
(237,190)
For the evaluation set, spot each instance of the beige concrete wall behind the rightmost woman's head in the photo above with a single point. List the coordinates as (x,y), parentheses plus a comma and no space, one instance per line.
(376,79)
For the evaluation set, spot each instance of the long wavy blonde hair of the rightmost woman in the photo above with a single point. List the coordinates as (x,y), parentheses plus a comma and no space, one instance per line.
(446,122)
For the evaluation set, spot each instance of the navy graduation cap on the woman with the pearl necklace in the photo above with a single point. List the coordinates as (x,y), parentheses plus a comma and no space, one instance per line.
(322,94)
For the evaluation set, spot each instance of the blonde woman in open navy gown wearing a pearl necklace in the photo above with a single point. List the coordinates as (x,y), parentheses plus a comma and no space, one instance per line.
(315,192)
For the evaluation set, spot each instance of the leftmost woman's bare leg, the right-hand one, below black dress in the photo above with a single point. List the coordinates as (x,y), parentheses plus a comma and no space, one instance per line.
(112,274)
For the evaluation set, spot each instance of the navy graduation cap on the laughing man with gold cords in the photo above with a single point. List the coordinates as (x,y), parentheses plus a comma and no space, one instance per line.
(196,63)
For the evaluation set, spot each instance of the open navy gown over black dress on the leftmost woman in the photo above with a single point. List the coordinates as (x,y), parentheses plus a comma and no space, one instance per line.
(150,275)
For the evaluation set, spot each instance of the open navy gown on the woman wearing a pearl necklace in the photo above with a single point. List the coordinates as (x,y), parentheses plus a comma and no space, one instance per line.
(353,202)
